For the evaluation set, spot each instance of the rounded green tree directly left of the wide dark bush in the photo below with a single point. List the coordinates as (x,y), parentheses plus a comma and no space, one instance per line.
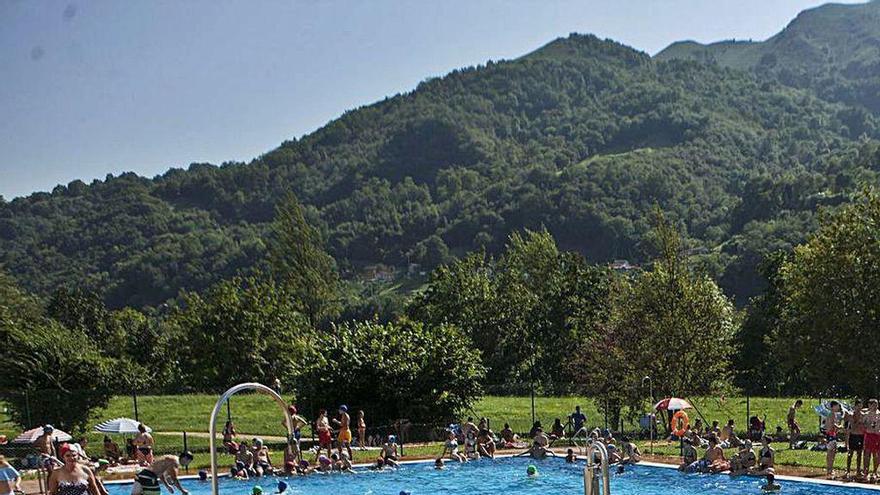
(242,329)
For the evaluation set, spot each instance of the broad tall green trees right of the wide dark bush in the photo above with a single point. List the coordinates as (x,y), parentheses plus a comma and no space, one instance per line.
(521,310)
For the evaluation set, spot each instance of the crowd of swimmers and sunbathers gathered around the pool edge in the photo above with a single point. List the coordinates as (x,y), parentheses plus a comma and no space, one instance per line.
(704,449)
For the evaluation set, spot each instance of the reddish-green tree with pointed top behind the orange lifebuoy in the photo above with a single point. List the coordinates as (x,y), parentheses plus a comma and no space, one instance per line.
(673,324)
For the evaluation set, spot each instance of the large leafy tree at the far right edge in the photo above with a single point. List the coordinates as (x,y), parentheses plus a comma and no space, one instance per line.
(831,302)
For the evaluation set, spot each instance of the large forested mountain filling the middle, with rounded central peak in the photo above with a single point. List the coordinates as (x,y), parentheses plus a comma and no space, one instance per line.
(583,136)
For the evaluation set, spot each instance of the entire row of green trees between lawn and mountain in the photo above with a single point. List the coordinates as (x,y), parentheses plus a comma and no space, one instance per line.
(534,317)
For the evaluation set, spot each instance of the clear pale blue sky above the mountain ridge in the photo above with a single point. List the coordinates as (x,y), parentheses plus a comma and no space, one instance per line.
(95,87)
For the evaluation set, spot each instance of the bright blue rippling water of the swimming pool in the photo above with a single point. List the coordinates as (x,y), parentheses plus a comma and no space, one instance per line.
(507,476)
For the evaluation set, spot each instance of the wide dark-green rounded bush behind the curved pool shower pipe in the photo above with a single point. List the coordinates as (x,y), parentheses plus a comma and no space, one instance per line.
(405,369)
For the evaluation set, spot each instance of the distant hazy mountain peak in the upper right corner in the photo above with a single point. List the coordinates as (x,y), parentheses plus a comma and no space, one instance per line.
(833,50)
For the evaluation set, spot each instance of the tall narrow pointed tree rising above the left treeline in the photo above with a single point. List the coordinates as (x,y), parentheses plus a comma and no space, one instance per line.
(300,264)
